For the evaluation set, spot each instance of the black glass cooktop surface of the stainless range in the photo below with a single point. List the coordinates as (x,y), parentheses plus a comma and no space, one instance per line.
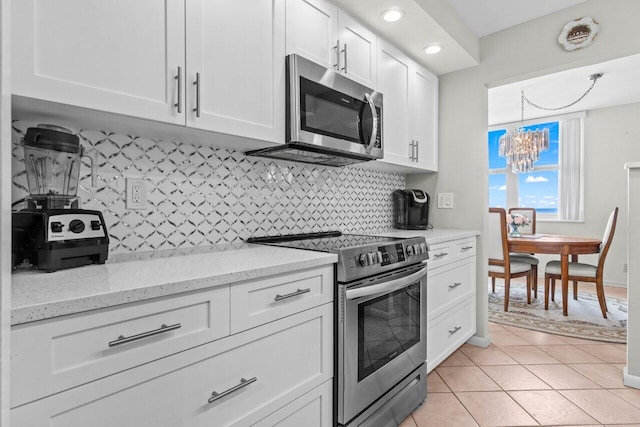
(330,241)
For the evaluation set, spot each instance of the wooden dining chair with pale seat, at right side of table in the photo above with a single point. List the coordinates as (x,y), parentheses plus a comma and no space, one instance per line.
(581,272)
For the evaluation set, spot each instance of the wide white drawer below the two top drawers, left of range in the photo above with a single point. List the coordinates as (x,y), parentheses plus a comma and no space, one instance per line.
(279,361)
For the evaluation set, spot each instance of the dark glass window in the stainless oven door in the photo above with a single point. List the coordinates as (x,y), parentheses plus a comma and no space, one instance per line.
(387,326)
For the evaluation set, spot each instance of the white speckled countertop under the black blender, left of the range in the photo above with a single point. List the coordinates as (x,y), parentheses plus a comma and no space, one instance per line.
(38,295)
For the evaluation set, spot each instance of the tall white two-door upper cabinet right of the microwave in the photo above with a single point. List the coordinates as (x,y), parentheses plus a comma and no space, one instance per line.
(410,118)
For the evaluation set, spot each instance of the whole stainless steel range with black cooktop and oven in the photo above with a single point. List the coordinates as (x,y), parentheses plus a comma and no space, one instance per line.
(381,319)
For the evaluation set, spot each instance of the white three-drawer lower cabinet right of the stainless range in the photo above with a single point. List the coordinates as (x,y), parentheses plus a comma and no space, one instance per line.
(451,298)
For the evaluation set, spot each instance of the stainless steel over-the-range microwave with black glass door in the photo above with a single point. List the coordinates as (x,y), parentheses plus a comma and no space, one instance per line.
(331,119)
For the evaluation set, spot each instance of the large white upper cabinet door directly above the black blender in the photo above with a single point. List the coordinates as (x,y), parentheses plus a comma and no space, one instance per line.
(118,56)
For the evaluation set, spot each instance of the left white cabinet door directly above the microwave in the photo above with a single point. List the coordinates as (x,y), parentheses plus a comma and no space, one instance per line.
(312,31)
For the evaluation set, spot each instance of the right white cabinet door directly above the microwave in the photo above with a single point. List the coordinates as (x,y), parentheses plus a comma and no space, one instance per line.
(358,51)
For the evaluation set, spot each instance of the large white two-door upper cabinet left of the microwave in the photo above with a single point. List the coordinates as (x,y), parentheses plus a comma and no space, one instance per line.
(141,58)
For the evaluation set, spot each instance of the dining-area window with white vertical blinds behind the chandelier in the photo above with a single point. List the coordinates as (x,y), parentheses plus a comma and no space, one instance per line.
(554,187)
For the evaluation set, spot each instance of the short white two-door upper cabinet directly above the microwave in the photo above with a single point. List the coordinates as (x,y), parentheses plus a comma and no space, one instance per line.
(319,31)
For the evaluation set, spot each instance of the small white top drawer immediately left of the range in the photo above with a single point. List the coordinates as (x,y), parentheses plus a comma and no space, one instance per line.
(256,302)
